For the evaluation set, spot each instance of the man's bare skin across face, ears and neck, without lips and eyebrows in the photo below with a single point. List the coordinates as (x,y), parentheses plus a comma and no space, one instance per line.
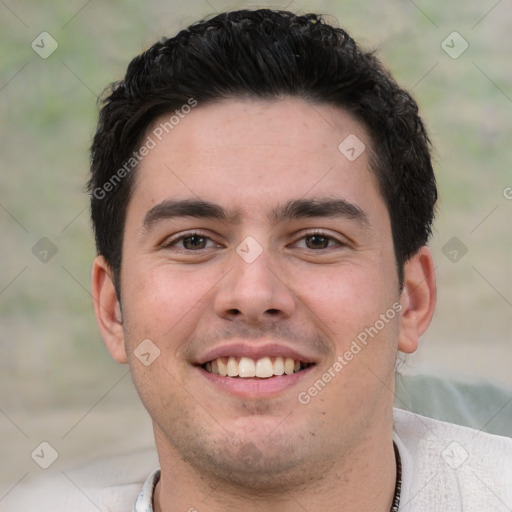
(315,294)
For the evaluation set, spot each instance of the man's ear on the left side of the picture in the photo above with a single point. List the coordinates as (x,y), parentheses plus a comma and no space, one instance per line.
(107,309)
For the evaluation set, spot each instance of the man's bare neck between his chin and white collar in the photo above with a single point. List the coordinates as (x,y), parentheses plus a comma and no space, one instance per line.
(362,478)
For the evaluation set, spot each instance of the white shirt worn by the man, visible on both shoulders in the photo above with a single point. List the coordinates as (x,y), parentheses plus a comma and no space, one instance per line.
(445,468)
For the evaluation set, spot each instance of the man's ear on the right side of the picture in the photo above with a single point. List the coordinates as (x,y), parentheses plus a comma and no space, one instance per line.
(418,299)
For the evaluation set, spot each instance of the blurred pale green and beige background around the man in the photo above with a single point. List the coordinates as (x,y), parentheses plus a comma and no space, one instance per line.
(57,383)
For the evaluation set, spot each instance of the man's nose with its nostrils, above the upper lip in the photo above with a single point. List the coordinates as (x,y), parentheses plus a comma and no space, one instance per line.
(254,292)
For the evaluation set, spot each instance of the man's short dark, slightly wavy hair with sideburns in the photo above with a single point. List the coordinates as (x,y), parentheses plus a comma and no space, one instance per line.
(264,54)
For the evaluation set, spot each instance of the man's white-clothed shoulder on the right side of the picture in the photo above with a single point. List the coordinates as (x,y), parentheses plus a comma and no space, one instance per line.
(453,467)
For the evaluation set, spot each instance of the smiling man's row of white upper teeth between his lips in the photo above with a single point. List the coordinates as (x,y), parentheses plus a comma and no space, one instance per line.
(246,367)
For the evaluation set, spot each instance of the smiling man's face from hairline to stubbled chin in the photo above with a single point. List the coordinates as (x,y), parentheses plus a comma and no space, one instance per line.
(253,244)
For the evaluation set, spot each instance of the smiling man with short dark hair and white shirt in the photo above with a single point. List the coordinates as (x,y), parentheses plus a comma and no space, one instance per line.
(262,195)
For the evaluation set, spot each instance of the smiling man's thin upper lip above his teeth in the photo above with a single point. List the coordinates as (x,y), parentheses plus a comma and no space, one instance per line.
(254,351)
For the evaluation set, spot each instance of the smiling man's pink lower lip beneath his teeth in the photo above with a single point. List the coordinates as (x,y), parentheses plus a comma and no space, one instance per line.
(255,387)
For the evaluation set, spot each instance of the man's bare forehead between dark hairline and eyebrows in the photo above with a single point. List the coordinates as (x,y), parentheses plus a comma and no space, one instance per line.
(252,152)
